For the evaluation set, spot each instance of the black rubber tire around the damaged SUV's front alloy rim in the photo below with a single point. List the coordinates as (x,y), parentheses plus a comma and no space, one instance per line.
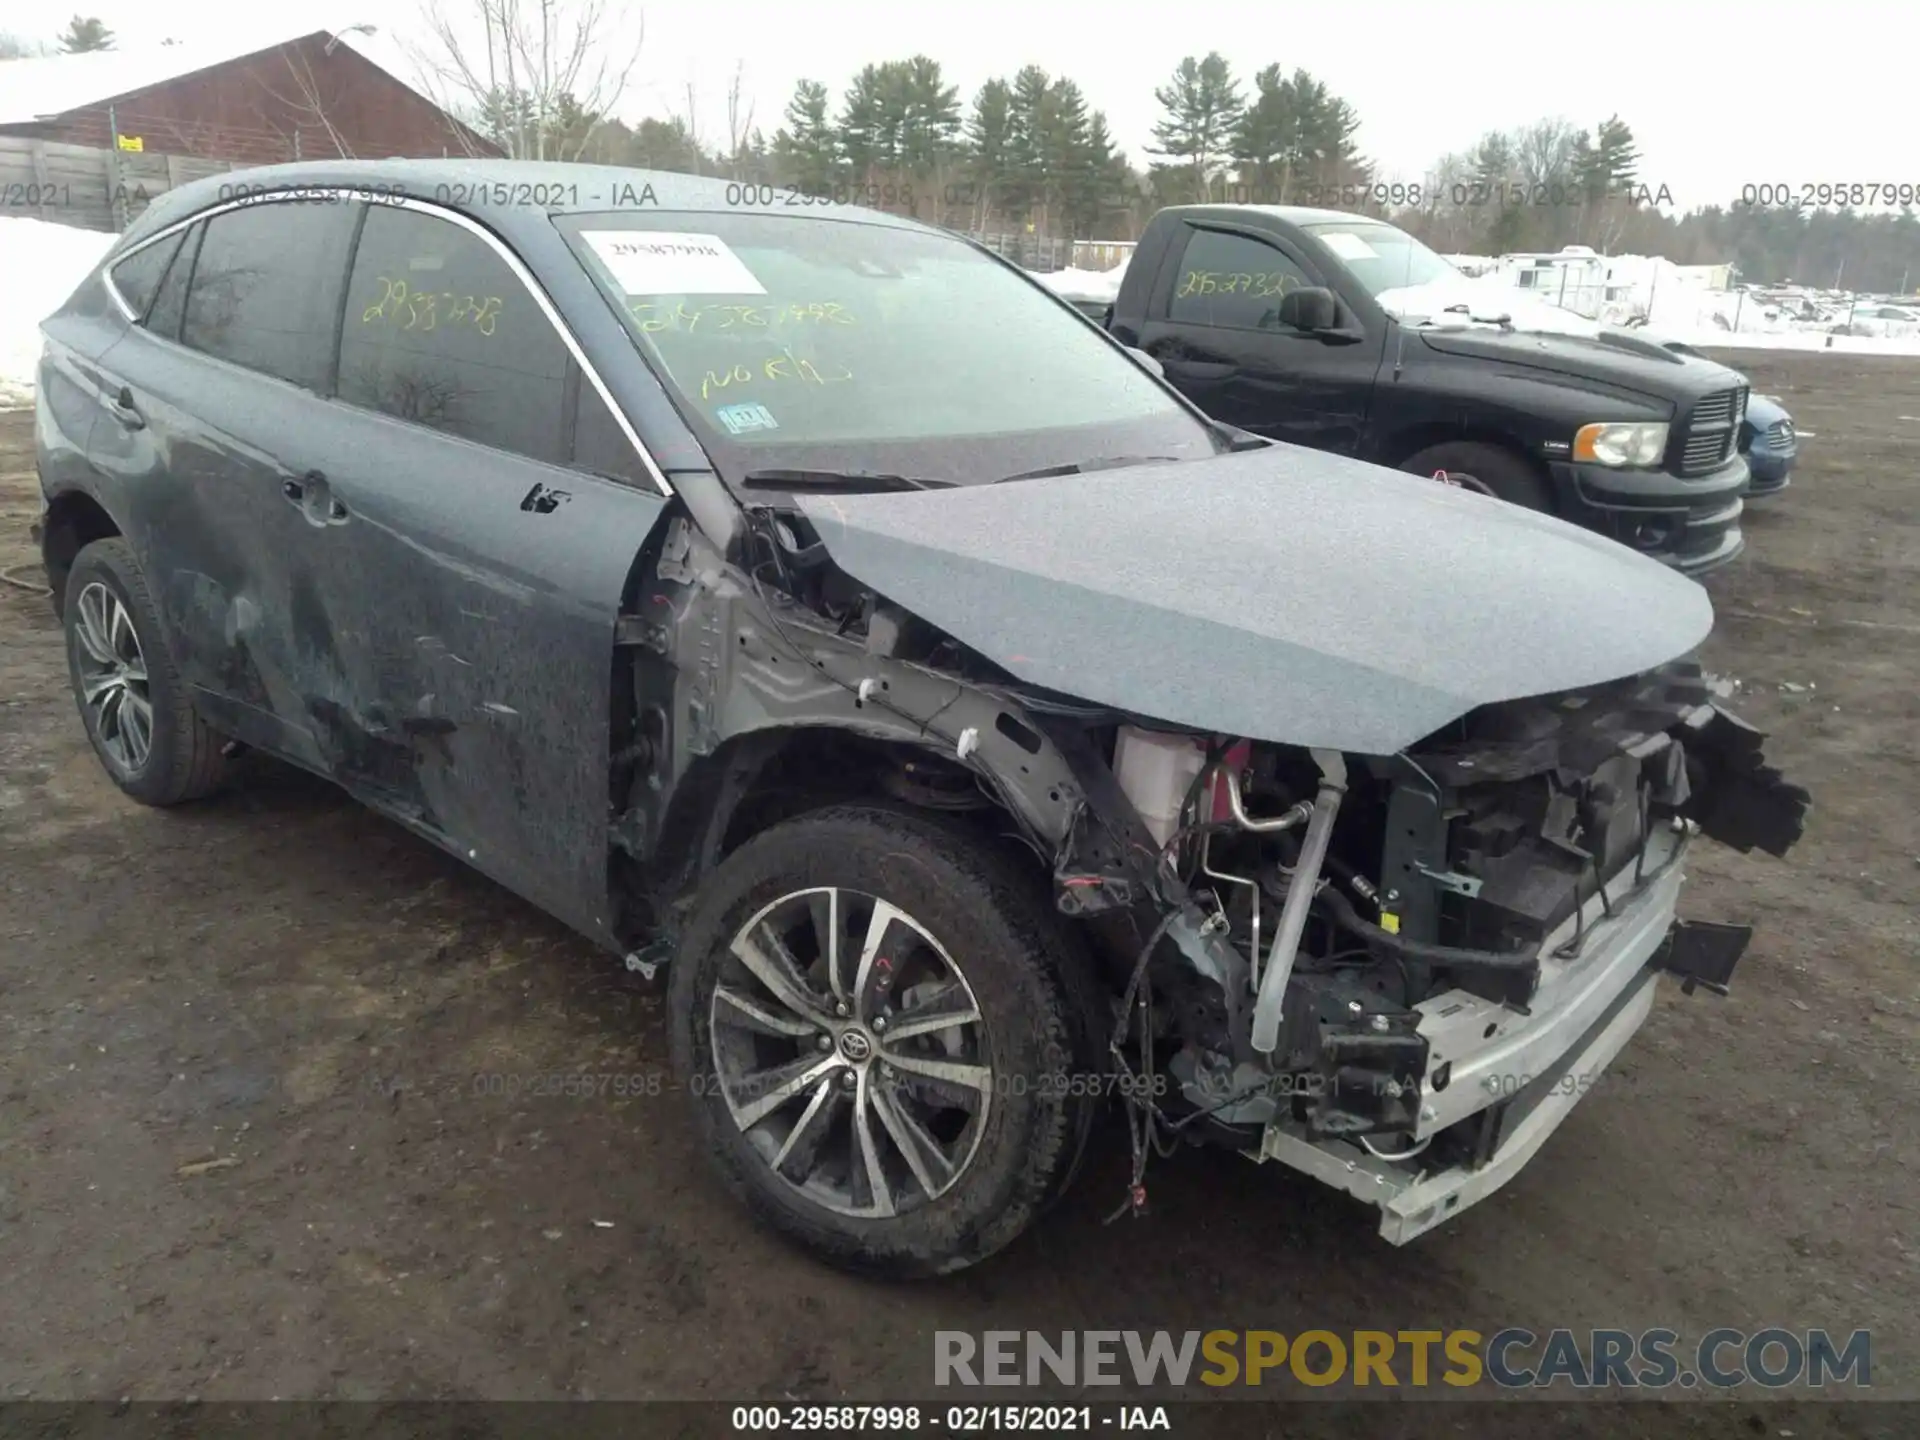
(1028,980)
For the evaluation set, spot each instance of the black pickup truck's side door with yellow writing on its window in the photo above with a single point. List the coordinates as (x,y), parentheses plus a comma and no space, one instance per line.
(1214,324)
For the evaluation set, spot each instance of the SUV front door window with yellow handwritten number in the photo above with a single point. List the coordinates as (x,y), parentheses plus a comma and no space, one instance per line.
(443,333)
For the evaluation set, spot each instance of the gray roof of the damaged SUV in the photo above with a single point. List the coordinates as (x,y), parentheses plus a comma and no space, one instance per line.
(510,193)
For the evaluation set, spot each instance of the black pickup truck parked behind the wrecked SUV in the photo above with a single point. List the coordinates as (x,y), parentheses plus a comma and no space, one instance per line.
(1349,335)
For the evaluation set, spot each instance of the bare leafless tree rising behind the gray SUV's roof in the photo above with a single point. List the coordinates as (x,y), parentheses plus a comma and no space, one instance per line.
(535,76)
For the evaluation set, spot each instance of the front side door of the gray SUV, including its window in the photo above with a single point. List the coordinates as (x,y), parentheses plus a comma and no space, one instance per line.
(489,519)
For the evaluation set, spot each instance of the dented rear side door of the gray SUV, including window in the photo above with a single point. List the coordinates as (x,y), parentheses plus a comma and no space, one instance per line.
(214,416)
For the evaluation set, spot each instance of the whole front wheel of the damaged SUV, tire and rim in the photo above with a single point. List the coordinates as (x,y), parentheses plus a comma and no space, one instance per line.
(888,1040)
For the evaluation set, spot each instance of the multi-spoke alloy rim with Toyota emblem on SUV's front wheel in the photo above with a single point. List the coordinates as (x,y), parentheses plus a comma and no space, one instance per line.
(852,1053)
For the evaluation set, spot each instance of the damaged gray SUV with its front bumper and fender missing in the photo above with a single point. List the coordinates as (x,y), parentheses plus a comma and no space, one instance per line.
(807,602)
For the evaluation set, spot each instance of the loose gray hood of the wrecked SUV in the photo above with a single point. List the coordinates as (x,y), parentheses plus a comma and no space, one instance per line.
(1280,594)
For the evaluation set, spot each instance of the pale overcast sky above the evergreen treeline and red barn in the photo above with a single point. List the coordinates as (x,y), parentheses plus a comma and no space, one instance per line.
(1719,93)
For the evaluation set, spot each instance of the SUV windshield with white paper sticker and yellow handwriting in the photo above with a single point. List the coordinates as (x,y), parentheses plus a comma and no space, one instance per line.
(821,343)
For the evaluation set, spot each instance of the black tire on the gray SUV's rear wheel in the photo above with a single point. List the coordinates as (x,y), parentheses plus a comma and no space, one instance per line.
(181,757)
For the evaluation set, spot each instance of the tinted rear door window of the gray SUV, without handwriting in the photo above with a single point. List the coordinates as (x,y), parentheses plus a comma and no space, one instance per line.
(266,289)
